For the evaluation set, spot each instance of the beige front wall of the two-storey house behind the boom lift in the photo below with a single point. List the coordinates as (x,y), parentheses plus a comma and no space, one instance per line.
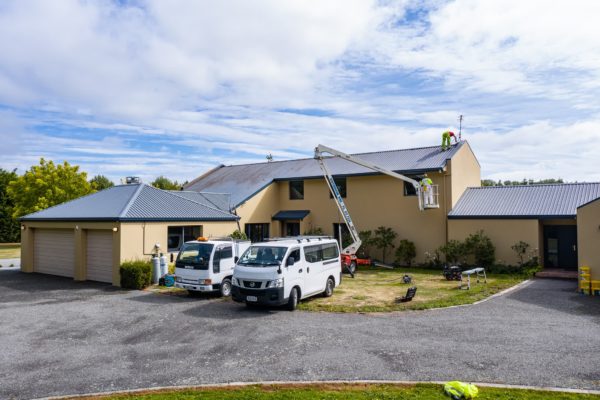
(373,201)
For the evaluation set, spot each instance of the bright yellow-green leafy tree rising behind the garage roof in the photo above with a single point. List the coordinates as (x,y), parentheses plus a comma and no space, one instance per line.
(46,185)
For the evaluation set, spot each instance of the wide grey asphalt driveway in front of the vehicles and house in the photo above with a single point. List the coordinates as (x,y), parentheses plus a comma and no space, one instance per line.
(62,337)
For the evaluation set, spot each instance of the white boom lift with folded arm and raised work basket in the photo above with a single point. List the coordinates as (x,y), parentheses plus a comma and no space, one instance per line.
(426,200)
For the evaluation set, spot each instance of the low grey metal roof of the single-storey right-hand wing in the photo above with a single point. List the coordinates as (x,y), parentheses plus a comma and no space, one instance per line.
(528,201)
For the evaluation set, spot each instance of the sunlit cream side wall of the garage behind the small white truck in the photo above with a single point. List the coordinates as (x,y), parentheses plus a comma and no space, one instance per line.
(138,238)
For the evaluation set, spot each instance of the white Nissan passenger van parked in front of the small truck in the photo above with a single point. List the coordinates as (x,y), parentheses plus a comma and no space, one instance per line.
(284,271)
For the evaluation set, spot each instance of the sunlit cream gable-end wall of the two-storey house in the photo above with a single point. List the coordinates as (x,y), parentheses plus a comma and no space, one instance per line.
(464,172)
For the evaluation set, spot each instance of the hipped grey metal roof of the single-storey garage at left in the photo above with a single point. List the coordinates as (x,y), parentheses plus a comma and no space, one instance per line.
(136,202)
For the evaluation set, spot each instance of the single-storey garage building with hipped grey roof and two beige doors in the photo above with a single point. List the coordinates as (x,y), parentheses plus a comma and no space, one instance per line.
(88,238)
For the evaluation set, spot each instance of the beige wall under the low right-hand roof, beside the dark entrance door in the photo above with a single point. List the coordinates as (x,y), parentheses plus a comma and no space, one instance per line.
(503,232)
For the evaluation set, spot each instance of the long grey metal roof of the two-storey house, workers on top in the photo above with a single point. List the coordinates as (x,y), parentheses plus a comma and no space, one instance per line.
(244,181)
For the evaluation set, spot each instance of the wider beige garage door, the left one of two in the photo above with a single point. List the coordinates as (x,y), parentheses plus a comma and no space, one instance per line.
(54,252)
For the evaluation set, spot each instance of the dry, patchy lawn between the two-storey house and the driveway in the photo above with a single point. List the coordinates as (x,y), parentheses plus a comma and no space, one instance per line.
(375,290)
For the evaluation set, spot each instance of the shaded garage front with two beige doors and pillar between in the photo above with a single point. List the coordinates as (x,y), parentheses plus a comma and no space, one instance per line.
(73,252)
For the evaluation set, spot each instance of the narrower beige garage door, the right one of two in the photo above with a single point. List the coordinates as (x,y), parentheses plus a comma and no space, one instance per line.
(99,256)
